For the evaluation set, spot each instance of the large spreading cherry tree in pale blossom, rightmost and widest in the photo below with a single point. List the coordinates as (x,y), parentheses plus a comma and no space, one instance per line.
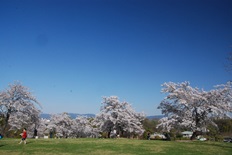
(194,108)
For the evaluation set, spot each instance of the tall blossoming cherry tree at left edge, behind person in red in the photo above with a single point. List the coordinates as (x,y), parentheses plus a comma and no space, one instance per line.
(18,106)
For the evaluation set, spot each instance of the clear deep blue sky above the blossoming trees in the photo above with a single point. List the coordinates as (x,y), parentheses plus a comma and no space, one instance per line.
(70,53)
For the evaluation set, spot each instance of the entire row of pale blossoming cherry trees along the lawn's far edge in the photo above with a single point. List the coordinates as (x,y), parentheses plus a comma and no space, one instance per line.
(185,108)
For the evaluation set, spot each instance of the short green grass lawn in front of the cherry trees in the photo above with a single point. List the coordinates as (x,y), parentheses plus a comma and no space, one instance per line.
(112,147)
